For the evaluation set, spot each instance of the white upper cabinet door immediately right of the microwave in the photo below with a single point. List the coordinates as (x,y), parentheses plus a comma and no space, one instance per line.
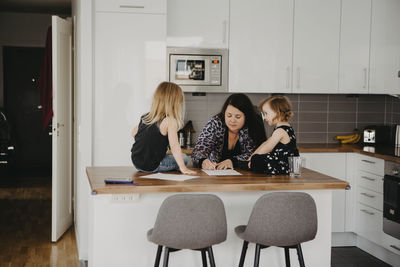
(260,46)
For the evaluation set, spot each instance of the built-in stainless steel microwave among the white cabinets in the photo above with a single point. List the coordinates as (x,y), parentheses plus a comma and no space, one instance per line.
(198,69)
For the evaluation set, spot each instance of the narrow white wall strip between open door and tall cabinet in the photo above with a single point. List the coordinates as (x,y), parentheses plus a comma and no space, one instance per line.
(82,24)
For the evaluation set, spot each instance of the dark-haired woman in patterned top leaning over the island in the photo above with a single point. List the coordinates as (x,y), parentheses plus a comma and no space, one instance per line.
(230,137)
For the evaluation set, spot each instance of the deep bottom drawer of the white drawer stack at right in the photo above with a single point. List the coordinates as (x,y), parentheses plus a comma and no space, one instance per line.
(369,224)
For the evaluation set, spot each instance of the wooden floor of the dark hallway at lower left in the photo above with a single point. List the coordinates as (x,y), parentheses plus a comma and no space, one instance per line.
(25,227)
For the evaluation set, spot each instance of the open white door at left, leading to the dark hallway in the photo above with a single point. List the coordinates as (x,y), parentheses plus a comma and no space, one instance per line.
(61,218)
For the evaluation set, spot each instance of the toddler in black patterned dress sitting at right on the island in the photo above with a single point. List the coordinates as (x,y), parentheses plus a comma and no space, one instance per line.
(272,155)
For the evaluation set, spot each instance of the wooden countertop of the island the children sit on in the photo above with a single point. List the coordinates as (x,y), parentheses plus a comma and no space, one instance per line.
(249,181)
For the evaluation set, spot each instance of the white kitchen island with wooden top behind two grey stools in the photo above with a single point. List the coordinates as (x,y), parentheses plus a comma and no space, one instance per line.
(121,215)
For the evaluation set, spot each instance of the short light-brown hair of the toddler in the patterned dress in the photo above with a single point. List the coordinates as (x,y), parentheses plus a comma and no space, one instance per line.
(280,105)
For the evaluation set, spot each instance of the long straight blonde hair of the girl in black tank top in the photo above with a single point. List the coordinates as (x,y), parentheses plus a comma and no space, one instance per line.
(168,100)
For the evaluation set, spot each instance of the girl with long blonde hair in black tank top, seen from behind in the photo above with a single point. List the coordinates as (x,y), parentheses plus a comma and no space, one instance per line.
(157,129)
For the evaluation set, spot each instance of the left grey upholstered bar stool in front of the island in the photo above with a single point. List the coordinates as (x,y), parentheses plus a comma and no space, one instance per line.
(189,221)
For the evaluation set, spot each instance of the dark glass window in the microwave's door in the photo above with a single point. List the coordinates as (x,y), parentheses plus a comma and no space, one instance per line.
(190,70)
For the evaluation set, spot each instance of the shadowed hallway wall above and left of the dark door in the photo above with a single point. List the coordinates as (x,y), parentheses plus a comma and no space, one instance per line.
(21,29)
